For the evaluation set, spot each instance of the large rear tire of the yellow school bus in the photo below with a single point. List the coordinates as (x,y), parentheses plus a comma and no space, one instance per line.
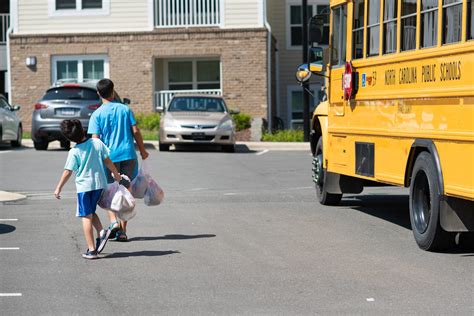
(425,204)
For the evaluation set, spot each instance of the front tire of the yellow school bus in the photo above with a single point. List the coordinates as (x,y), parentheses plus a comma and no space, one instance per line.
(319,175)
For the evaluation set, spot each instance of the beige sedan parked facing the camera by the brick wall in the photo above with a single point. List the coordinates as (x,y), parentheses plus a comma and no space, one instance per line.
(197,119)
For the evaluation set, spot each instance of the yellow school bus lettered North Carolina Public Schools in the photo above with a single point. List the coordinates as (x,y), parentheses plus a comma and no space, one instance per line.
(399,109)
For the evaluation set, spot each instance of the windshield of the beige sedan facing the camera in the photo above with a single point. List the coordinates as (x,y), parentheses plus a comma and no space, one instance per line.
(197,104)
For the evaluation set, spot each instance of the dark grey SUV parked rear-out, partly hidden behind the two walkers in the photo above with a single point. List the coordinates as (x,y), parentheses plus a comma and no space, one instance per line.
(60,102)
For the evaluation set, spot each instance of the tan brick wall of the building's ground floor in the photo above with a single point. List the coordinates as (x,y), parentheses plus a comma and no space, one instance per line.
(131,55)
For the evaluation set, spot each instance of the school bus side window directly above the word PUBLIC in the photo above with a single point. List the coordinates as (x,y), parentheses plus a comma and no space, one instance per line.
(429,23)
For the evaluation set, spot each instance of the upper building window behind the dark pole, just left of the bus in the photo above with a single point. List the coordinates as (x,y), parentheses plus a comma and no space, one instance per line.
(295,20)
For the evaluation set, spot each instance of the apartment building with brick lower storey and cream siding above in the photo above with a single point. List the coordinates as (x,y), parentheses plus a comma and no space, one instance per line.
(245,50)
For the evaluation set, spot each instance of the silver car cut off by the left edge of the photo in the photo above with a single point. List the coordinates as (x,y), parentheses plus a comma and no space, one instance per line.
(11,129)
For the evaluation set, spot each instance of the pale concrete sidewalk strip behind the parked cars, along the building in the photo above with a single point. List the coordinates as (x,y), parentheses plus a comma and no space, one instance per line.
(251,146)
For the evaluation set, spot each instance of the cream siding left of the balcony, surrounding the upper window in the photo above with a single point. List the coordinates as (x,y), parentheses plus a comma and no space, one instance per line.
(124,15)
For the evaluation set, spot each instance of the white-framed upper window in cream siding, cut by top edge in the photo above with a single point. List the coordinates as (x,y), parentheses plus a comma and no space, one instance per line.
(78,7)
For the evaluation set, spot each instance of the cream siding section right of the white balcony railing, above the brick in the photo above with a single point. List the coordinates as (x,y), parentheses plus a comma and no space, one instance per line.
(242,13)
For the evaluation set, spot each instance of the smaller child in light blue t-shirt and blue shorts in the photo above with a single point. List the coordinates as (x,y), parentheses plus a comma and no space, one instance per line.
(87,160)
